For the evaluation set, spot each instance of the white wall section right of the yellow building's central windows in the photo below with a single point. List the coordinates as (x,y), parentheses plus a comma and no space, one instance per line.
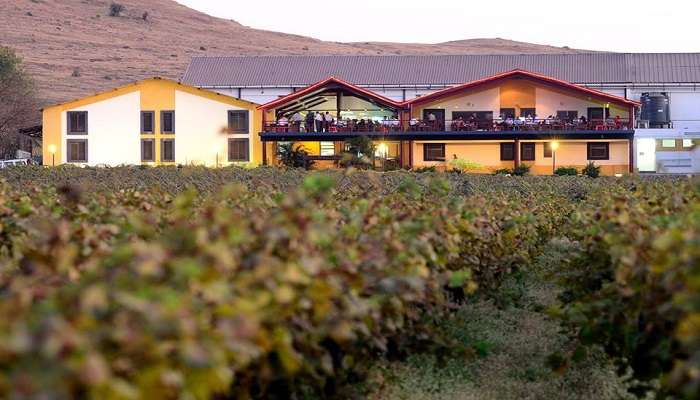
(199,123)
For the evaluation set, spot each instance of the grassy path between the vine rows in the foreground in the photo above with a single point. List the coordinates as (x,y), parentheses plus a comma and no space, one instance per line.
(512,340)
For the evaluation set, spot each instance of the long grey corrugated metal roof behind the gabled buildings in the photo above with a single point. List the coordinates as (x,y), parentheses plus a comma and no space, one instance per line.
(590,68)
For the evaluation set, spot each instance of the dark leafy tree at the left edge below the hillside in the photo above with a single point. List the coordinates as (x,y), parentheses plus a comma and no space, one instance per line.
(18,104)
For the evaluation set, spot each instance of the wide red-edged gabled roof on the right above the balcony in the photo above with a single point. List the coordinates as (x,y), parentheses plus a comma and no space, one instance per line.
(521,73)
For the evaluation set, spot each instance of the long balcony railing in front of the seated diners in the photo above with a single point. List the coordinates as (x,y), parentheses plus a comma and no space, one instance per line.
(416,125)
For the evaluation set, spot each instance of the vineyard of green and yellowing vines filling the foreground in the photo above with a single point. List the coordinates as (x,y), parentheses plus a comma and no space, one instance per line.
(192,283)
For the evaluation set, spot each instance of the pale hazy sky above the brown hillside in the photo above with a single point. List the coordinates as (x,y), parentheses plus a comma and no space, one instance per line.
(621,26)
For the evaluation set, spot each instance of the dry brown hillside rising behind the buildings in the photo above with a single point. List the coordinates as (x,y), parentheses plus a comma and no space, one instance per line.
(74,47)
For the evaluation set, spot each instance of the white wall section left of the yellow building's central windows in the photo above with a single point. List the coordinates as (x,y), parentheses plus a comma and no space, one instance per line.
(114,126)
